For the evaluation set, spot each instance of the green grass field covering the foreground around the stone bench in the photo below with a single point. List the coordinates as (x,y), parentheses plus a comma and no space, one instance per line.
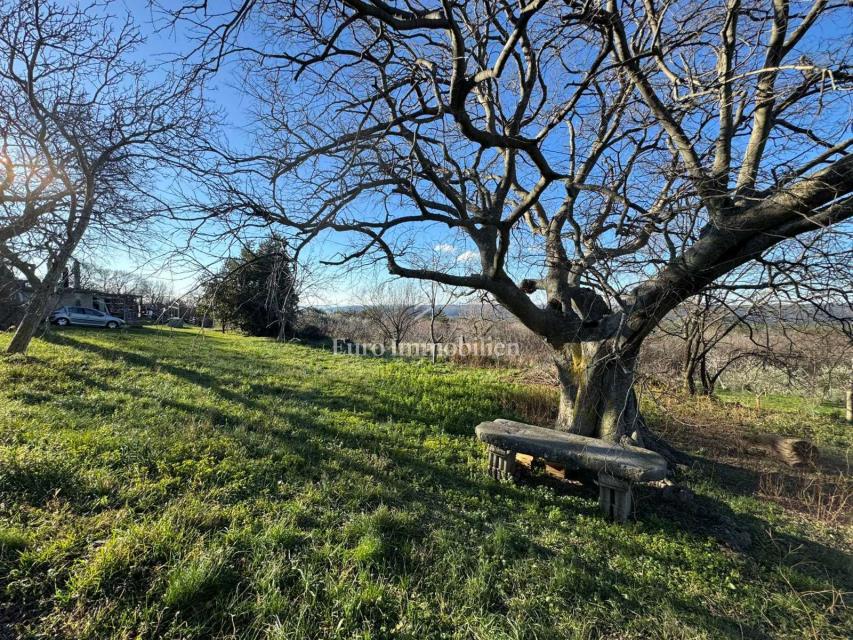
(161,484)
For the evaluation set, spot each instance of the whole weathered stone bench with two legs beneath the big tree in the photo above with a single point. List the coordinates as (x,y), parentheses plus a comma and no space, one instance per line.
(618,466)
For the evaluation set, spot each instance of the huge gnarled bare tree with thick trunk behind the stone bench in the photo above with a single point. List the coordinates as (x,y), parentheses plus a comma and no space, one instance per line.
(625,154)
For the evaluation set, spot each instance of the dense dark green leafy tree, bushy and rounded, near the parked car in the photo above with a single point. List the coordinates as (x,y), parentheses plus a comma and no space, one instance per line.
(256,291)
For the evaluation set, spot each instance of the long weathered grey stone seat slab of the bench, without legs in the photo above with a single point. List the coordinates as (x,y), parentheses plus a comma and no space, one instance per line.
(579,452)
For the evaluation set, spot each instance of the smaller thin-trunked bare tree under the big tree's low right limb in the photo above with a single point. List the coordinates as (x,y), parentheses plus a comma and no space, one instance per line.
(770,322)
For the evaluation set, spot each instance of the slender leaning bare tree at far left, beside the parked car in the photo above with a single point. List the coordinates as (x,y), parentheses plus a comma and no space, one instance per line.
(83,127)
